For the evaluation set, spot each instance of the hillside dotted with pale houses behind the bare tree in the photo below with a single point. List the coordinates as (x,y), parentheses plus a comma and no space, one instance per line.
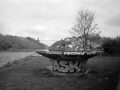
(74,44)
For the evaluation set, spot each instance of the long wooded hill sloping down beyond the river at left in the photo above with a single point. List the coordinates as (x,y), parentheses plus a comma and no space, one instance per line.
(9,42)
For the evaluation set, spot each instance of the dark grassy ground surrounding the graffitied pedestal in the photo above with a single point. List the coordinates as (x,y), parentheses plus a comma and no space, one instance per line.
(30,73)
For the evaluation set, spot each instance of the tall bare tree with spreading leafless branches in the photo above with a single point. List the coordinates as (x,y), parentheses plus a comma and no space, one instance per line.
(85,28)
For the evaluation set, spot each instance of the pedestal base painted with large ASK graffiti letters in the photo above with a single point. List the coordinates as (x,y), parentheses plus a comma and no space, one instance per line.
(68,66)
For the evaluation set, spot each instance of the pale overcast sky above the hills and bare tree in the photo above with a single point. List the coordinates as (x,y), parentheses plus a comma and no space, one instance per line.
(51,20)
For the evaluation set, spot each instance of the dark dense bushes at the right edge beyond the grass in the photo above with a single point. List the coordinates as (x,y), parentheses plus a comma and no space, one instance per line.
(111,46)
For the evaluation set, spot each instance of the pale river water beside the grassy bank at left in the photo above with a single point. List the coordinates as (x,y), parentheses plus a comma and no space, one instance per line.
(11,56)
